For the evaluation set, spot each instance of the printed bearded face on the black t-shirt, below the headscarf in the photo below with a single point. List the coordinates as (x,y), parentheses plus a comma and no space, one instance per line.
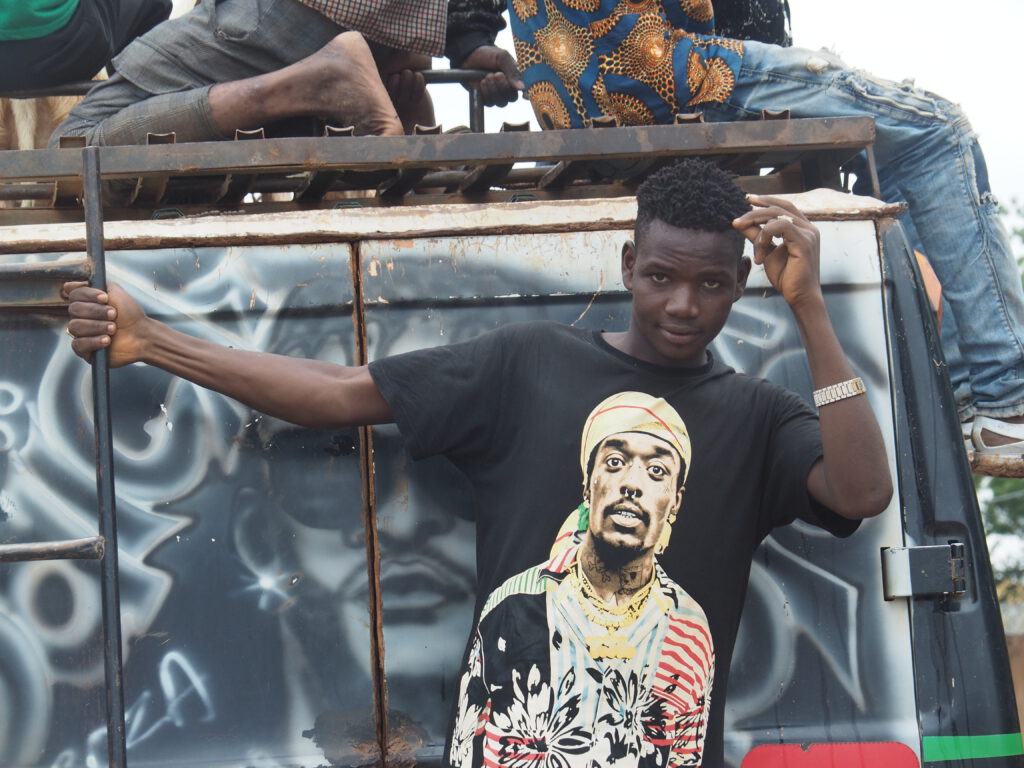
(634,487)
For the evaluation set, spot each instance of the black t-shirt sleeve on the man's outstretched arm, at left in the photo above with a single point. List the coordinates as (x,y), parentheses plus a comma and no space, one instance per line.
(444,399)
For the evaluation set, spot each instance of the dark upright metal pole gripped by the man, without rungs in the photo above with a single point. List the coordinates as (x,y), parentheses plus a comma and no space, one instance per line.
(116,746)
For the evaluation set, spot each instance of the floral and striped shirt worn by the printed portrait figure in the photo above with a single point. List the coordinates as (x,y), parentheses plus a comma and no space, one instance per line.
(532,693)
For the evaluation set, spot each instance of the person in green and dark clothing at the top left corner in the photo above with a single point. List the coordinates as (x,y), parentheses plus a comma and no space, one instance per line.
(48,44)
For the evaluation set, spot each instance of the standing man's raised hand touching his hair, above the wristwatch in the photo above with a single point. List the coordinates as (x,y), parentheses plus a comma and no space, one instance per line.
(787,244)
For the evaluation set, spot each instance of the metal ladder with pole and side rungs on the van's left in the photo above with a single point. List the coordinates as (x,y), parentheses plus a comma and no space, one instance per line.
(103,547)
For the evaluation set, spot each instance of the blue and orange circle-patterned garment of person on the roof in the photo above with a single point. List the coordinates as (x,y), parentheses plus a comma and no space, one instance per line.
(639,61)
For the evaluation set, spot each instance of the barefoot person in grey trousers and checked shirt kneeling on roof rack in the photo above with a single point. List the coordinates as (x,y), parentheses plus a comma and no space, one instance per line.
(233,65)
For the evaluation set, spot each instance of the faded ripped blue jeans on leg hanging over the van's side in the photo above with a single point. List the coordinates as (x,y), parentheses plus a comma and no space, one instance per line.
(928,156)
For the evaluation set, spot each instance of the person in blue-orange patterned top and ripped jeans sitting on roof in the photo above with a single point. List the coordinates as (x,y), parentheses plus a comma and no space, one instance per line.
(643,63)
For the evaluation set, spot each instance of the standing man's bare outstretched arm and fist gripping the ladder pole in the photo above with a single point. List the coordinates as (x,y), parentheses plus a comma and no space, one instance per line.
(308,393)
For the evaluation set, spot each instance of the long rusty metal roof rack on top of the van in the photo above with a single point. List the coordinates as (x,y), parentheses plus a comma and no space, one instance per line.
(771,156)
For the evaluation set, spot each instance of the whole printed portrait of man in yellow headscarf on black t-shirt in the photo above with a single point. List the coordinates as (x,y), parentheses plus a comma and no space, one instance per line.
(595,658)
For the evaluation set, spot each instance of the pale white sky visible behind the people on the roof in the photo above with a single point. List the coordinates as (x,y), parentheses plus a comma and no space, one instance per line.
(967,61)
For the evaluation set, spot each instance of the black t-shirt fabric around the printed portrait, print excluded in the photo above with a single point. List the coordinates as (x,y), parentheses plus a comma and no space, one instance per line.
(508,409)
